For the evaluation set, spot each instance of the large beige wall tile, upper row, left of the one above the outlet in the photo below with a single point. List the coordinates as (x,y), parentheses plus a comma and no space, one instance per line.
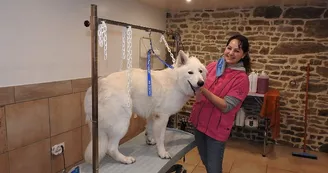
(27,122)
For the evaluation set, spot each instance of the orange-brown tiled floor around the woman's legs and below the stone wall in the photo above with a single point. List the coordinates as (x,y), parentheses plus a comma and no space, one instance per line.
(245,157)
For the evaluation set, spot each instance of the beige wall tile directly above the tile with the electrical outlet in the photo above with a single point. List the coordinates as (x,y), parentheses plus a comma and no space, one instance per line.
(65,113)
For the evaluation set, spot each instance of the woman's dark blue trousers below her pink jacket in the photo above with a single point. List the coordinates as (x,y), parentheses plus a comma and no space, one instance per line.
(211,152)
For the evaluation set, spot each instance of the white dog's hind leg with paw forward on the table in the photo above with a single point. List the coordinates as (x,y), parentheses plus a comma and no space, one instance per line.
(118,130)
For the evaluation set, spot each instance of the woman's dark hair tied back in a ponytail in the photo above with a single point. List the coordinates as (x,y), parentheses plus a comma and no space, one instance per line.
(244,45)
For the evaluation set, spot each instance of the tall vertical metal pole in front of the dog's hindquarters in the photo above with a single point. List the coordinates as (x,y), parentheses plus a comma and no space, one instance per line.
(94,78)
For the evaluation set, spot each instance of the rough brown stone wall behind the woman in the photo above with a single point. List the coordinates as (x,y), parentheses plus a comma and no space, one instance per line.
(283,39)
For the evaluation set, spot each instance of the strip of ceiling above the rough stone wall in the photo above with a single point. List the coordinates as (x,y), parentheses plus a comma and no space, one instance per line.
(176,5)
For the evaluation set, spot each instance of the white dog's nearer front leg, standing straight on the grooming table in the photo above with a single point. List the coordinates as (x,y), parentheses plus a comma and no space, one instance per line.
(159,127)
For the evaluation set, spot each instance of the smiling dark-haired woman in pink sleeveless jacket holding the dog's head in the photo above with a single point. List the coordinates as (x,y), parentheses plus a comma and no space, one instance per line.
(216,105)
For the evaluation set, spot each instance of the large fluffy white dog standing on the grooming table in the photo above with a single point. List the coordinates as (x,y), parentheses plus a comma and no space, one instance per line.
(171,89)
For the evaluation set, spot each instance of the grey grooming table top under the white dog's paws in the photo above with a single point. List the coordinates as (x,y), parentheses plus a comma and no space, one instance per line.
(177,143)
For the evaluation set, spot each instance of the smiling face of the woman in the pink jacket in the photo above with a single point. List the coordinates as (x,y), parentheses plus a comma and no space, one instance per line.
(233,54)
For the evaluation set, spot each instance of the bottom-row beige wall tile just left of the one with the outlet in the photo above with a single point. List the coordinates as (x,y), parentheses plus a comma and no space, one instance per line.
(34,158)
